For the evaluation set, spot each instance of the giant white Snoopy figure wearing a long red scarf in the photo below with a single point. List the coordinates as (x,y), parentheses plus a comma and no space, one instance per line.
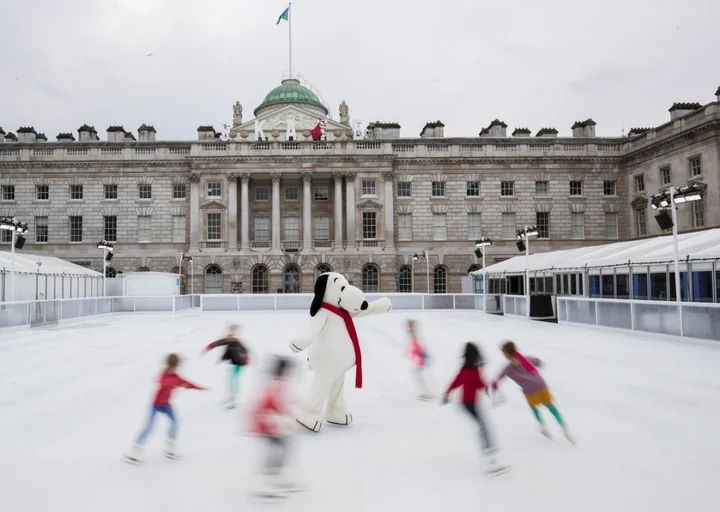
(333,348)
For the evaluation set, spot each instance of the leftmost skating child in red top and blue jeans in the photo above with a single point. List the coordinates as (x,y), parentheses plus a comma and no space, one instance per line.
(169,380)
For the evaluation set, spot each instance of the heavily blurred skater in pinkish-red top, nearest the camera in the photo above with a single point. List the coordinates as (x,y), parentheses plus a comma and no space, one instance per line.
(272,419)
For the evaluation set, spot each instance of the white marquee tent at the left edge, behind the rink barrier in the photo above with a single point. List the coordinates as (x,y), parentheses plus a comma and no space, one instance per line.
(46,277)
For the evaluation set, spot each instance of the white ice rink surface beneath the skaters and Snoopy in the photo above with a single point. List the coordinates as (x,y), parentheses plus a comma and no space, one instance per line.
(645,412)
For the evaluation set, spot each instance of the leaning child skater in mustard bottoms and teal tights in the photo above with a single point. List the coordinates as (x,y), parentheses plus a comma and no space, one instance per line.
(522,370)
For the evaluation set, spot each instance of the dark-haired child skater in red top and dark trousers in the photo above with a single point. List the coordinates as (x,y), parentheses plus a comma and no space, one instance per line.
(471,380)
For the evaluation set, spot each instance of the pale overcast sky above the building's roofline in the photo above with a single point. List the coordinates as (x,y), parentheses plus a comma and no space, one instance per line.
(465,62)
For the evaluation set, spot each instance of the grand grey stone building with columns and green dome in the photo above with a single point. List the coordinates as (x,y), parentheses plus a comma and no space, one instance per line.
(292,193)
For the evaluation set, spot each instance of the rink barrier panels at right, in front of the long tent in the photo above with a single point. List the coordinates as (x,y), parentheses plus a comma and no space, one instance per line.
(700,320)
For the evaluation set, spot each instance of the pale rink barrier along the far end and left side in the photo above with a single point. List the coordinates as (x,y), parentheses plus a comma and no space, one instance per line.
(48,312)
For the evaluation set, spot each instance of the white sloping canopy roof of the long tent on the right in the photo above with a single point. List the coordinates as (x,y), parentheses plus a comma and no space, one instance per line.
(699,245)
